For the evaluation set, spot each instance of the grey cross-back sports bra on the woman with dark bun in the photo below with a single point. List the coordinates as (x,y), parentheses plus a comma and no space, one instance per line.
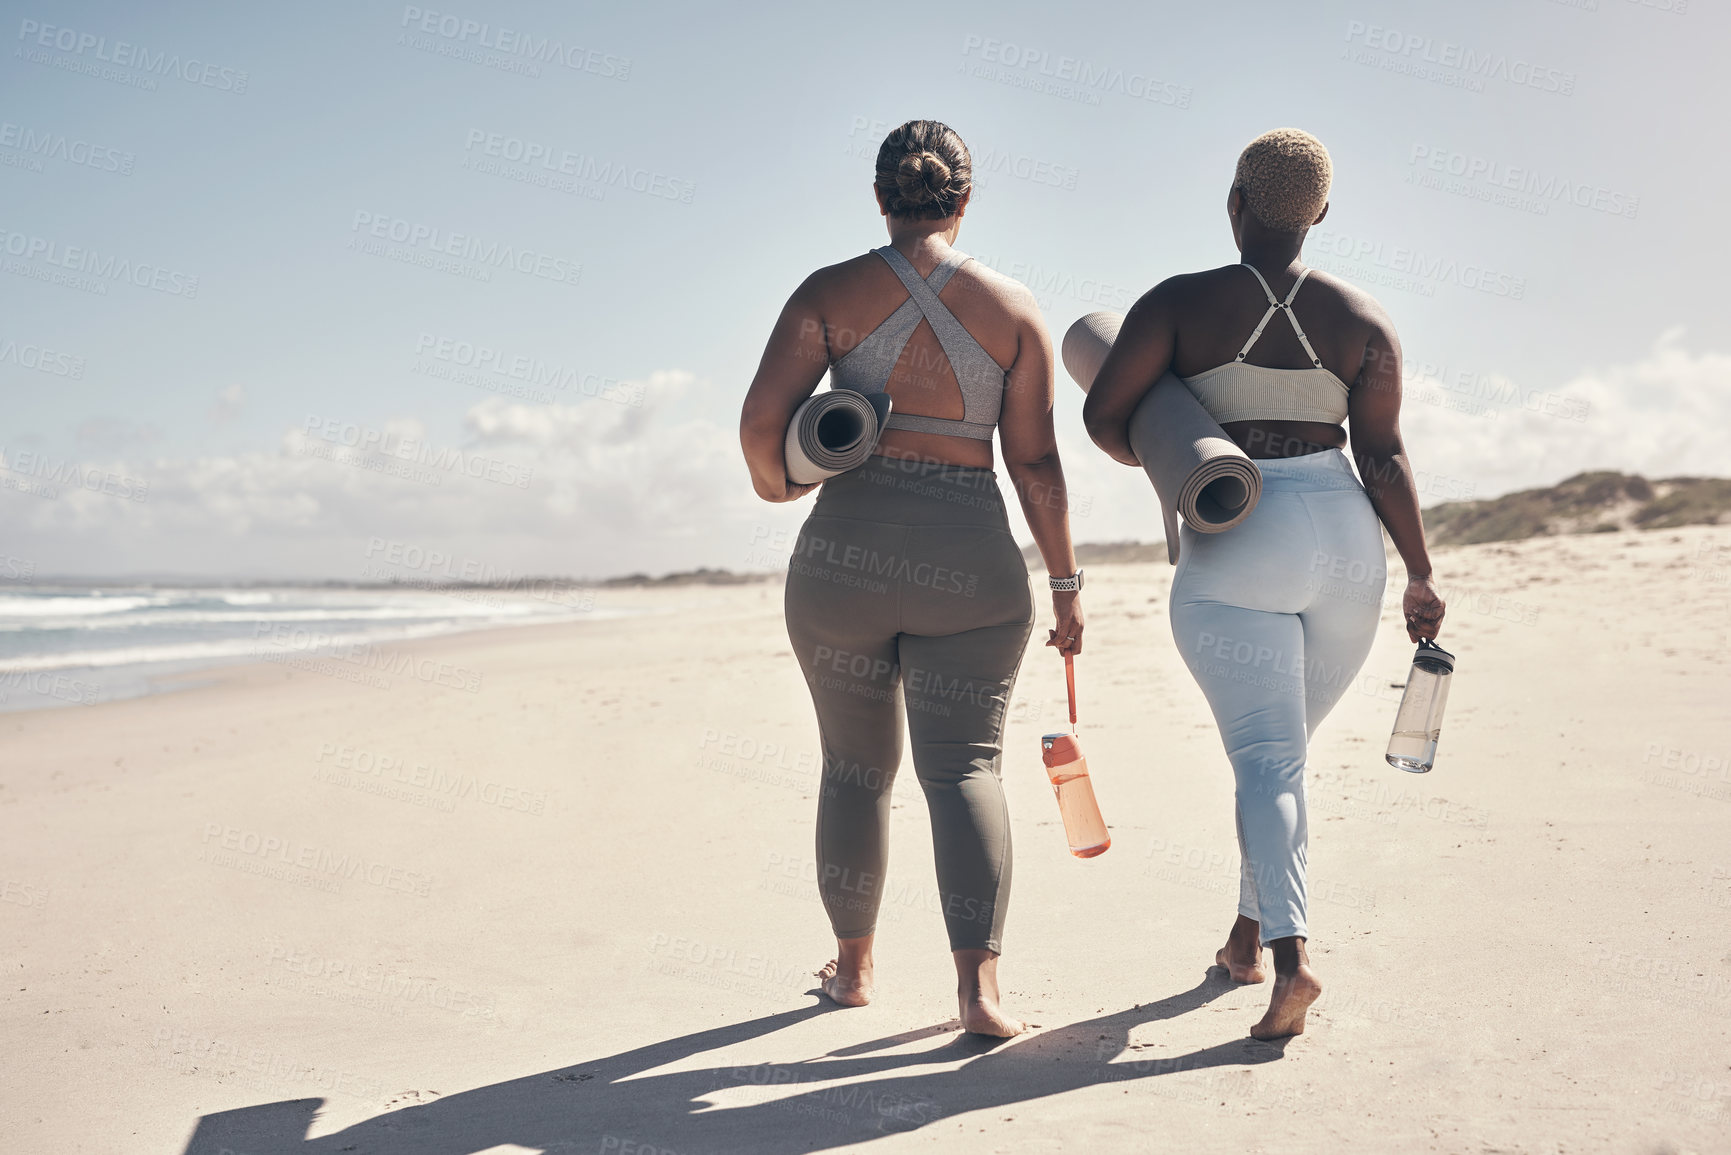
(868,366)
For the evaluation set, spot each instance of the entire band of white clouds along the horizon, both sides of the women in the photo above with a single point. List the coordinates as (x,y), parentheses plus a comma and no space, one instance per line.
(622,487)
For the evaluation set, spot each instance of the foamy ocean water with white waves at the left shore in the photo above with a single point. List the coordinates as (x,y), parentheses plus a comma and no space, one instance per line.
(70,647)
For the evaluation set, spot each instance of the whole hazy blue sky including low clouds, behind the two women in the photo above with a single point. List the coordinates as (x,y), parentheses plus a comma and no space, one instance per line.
(527,255)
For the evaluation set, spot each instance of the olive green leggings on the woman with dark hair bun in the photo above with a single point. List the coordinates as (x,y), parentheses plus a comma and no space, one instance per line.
(908,586)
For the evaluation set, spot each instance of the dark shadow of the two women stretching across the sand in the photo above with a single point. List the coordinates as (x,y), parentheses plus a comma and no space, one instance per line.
(608,1106)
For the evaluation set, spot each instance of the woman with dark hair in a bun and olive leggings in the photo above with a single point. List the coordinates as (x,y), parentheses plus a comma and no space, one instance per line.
(906,583)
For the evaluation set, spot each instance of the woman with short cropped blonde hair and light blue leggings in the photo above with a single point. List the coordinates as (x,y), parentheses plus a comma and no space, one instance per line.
(1277,616)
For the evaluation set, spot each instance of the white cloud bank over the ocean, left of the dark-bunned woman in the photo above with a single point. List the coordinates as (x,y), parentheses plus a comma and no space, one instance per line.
(610,487)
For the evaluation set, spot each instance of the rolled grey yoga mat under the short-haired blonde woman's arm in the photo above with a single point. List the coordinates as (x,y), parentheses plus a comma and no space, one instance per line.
(1199,472)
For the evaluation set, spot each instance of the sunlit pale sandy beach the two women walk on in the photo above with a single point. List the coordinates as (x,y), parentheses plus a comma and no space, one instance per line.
(553,891)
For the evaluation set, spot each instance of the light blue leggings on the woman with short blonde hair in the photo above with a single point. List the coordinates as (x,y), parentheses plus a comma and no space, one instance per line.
(1275,619)
